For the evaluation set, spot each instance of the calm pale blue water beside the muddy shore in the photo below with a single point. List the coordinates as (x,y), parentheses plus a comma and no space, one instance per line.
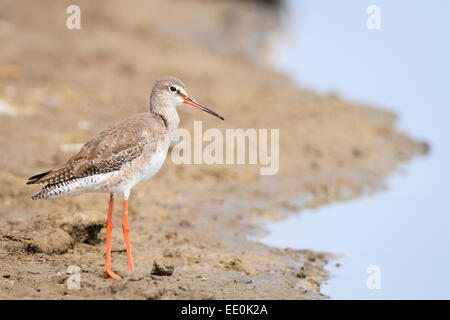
(403,233)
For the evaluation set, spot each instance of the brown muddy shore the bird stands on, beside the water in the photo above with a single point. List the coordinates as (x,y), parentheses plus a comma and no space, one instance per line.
(190,223)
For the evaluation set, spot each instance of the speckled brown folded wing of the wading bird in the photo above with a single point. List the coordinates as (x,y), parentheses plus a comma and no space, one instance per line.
(108,150)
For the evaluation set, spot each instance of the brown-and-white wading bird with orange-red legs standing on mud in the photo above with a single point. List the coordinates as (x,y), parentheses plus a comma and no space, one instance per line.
(120,157)
